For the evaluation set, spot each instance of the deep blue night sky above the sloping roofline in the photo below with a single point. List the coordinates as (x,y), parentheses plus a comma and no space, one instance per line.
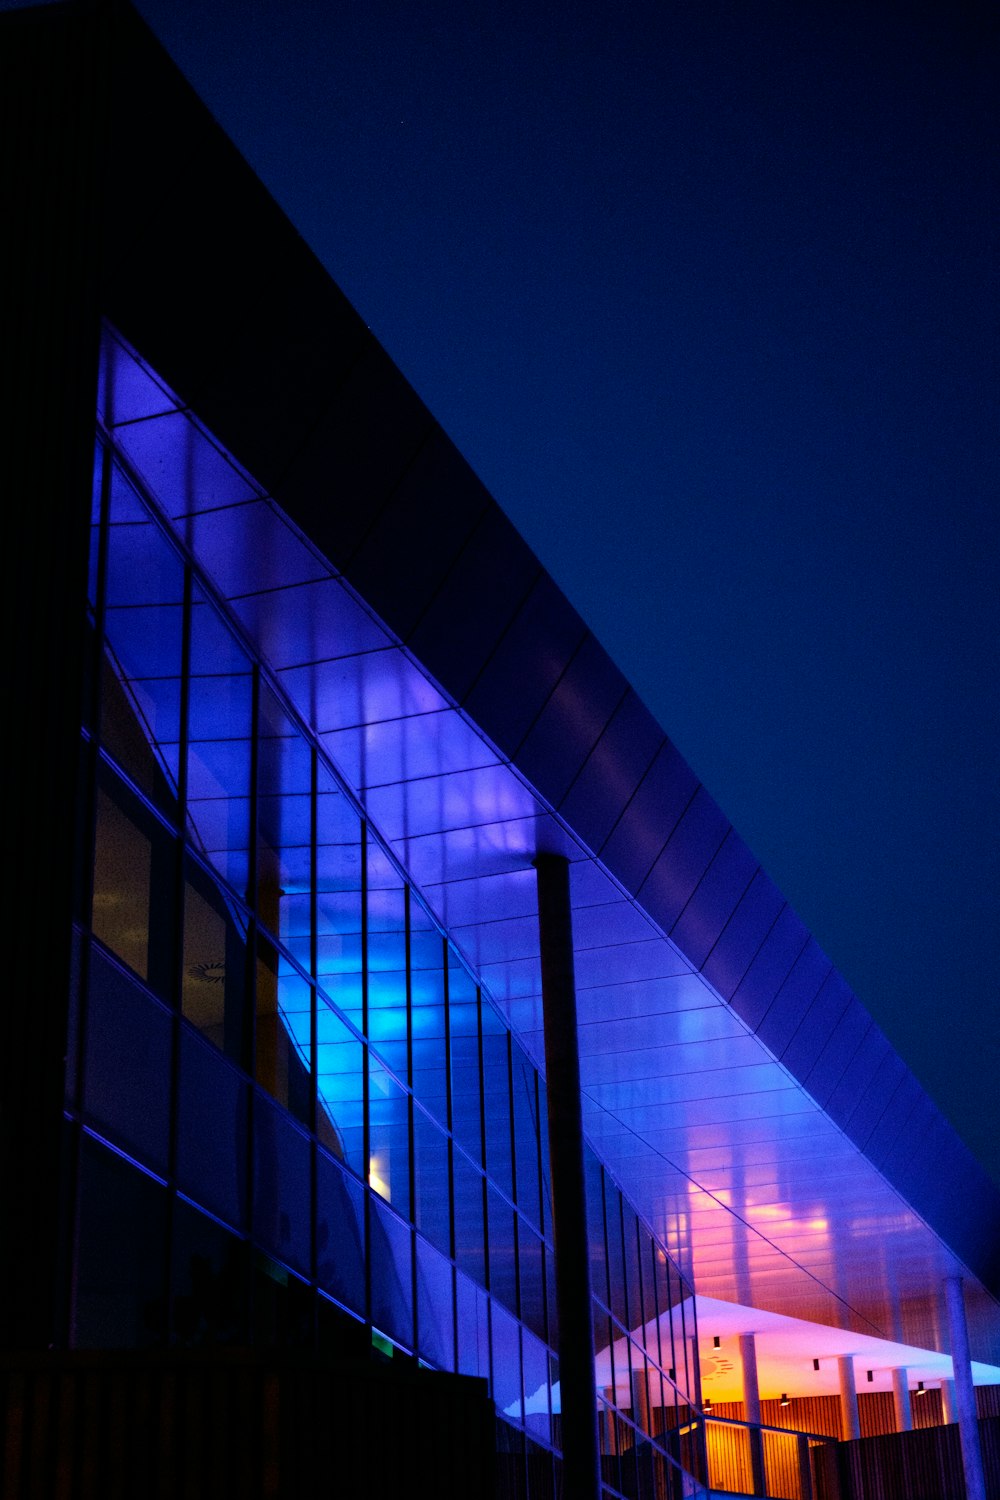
(707,295)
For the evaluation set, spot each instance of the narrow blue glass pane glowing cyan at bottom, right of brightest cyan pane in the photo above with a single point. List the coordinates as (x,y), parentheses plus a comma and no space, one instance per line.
(388,962)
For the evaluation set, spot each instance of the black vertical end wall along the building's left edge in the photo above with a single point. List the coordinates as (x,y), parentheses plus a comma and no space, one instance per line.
(55,85)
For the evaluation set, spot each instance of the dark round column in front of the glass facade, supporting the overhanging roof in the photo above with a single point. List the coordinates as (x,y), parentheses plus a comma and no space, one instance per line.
(581,1459)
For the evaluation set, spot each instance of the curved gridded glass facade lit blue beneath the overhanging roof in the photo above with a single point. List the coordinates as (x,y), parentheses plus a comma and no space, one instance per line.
(301,1118)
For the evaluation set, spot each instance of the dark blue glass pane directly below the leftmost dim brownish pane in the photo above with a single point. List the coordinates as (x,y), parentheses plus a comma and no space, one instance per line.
(131,1103)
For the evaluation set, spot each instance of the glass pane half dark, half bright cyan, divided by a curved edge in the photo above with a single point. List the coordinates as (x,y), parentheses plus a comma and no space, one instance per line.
(284,1024)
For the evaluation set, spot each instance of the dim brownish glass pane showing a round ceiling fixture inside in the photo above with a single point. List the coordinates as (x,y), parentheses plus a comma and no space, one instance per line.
(214,991)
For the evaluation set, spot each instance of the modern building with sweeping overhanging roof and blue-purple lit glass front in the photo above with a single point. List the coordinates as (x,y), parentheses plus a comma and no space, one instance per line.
(388,991)
